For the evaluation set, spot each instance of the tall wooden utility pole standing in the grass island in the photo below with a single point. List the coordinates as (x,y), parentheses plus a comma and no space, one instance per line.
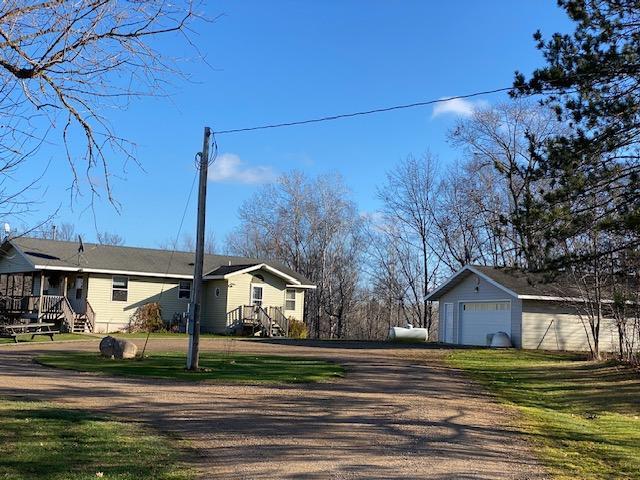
(196,299)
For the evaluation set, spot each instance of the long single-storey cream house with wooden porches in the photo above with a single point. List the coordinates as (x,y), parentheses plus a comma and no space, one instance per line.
(97,288)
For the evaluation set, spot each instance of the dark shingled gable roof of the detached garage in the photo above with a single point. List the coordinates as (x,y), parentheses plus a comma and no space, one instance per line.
(516,282)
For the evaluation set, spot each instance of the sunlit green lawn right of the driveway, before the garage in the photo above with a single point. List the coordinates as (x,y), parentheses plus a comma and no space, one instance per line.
(584,417)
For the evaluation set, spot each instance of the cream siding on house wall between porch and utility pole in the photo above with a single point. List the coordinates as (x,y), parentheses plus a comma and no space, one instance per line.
(113,315)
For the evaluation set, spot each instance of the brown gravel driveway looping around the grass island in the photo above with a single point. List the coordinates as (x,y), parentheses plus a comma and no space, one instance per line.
(399,413)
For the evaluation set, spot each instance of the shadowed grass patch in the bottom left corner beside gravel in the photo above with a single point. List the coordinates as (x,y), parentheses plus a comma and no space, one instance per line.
(46,441)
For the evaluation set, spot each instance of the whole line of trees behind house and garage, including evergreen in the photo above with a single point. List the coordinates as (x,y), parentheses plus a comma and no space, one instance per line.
(547,182)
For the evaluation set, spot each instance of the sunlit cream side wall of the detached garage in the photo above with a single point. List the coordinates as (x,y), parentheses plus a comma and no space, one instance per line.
(553,326)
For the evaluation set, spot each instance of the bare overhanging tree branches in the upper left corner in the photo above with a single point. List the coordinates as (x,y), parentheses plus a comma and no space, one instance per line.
(66,63)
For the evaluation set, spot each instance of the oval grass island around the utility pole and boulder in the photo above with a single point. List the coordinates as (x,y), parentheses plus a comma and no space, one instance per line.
(214,366)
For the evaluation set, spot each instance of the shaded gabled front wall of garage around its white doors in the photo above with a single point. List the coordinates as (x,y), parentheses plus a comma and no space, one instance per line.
(466,291)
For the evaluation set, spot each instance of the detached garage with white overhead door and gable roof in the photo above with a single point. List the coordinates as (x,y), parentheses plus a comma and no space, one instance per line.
(479,301)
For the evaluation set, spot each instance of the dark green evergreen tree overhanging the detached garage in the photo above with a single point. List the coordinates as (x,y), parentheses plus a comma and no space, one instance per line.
(592,78)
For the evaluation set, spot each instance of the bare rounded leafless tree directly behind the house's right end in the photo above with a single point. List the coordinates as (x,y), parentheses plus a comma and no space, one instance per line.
(311,226)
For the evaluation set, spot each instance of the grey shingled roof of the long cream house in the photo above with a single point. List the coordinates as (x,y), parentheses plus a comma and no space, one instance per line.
(54,254)
